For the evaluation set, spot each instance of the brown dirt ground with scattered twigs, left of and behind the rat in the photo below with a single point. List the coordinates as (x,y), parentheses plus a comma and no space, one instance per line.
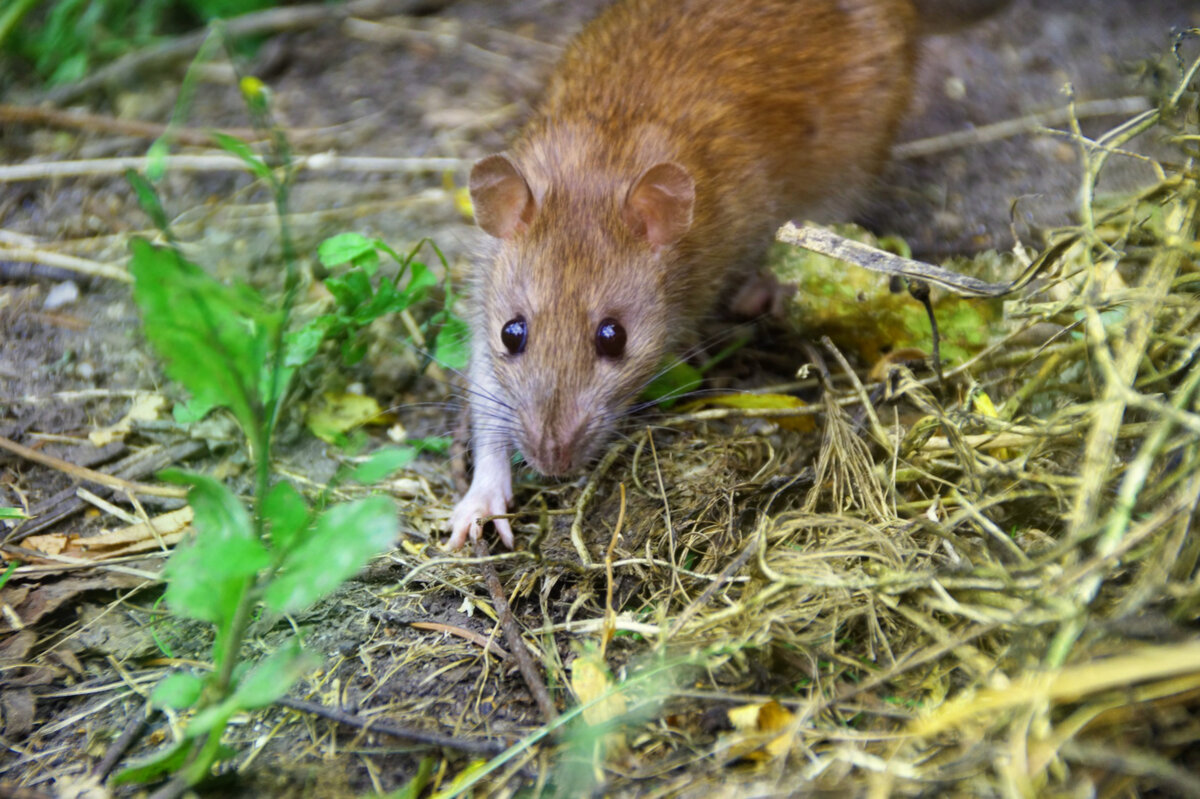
(449,80)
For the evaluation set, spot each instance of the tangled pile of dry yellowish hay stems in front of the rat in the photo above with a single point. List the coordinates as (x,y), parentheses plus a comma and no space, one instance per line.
(982,587)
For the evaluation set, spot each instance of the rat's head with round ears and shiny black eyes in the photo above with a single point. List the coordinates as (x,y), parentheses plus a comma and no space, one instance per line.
(575,303)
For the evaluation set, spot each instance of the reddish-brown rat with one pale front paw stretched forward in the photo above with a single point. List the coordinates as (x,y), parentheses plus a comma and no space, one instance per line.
(674,137)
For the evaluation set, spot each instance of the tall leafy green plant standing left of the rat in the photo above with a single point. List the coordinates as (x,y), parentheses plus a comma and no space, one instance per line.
(230,349)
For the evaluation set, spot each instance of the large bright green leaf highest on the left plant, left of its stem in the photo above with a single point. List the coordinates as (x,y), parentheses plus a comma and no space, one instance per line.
(214,339)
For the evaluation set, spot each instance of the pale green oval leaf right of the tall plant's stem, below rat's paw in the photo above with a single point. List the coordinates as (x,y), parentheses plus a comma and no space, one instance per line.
(340,544)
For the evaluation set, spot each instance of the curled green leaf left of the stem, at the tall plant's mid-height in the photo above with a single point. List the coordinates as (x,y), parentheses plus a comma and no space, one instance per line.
(206,578)
